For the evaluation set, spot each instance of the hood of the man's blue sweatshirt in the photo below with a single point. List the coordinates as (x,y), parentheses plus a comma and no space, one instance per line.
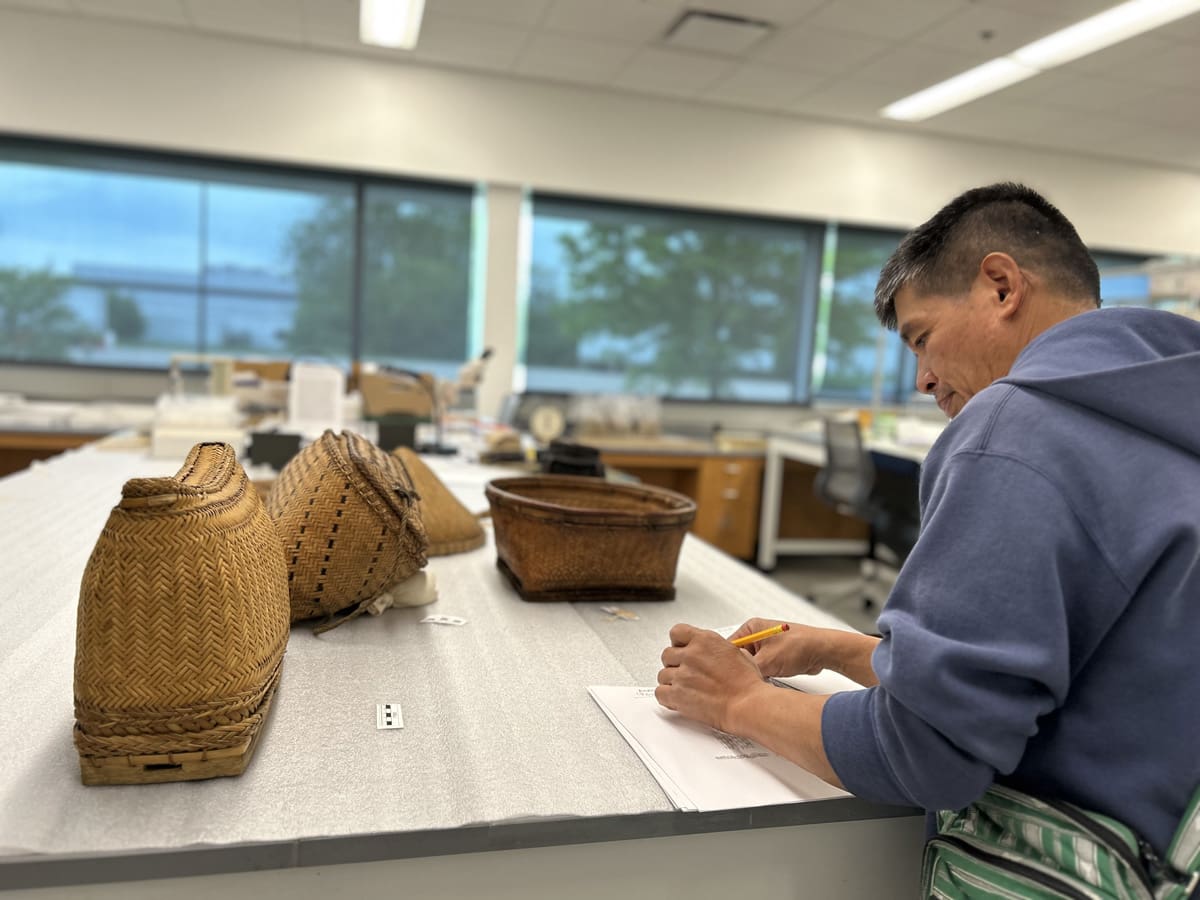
(1138,367)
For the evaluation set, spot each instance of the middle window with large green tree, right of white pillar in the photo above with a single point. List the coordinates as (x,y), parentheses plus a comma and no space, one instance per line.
(671,303)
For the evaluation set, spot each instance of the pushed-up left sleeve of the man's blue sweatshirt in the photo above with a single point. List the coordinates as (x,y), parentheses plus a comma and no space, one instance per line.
(976,639)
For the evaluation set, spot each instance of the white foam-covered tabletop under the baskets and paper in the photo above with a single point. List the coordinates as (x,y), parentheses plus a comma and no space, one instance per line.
(501,746)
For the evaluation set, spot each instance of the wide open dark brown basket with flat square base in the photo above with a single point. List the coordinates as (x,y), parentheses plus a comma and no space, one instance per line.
(572,538)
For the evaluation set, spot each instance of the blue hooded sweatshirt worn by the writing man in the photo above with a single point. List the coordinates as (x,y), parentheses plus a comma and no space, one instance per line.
(1046,631)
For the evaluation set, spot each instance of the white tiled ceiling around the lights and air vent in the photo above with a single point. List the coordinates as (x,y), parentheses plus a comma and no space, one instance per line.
(830,59)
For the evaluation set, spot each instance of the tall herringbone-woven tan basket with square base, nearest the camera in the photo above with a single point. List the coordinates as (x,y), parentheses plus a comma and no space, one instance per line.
(182,628)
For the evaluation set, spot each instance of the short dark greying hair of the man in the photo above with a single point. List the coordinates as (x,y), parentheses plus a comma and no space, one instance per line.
(944,255)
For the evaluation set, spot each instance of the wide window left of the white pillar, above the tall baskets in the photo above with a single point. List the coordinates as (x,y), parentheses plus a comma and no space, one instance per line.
(124,260)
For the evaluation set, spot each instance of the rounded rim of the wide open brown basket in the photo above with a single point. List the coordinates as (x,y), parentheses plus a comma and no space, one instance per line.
(501,493)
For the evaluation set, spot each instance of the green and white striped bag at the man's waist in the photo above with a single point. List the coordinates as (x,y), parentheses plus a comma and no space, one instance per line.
(1012,847)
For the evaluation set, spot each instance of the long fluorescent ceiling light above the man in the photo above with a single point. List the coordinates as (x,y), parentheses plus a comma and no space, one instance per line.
(1094,34)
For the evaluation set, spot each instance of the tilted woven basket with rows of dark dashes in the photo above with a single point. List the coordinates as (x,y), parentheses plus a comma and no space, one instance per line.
(351,527)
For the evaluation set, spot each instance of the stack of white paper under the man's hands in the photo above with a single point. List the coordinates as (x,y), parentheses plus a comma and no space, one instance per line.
(701,769)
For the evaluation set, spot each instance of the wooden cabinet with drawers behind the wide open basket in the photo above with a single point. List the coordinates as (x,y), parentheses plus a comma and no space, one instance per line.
(727,489)
